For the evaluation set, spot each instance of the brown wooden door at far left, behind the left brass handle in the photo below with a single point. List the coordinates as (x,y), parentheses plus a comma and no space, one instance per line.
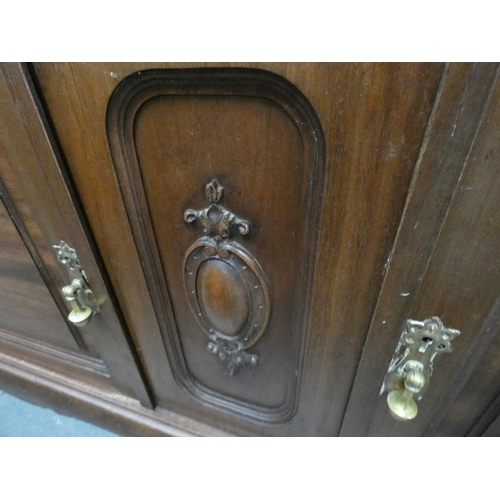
(38,212)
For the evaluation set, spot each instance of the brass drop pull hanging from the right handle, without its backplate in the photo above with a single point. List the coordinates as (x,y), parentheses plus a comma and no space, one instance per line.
(401,402)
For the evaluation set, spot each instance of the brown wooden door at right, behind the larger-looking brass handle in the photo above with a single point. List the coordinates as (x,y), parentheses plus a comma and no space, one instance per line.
(445,263)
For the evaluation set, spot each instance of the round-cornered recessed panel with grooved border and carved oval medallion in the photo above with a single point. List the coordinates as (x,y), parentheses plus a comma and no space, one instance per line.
(171,133)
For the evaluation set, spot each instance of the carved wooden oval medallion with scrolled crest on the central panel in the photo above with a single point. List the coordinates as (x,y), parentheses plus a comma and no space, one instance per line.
(226,287)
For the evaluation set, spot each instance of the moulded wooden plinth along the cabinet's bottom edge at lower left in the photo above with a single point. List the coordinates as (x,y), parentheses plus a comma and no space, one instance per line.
(77,388)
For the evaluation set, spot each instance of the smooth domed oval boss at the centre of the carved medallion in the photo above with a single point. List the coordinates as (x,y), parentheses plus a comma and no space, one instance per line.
(223,296)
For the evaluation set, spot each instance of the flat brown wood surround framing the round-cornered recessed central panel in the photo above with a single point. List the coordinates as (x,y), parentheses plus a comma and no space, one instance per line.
(373,116)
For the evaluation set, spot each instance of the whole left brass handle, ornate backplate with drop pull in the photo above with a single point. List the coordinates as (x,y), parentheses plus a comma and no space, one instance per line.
(78,293)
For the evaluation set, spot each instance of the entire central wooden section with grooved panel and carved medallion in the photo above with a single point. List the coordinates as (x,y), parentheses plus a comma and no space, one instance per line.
(297,173)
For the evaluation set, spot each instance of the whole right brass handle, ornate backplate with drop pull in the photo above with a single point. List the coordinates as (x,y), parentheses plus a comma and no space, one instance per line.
(411,366)
